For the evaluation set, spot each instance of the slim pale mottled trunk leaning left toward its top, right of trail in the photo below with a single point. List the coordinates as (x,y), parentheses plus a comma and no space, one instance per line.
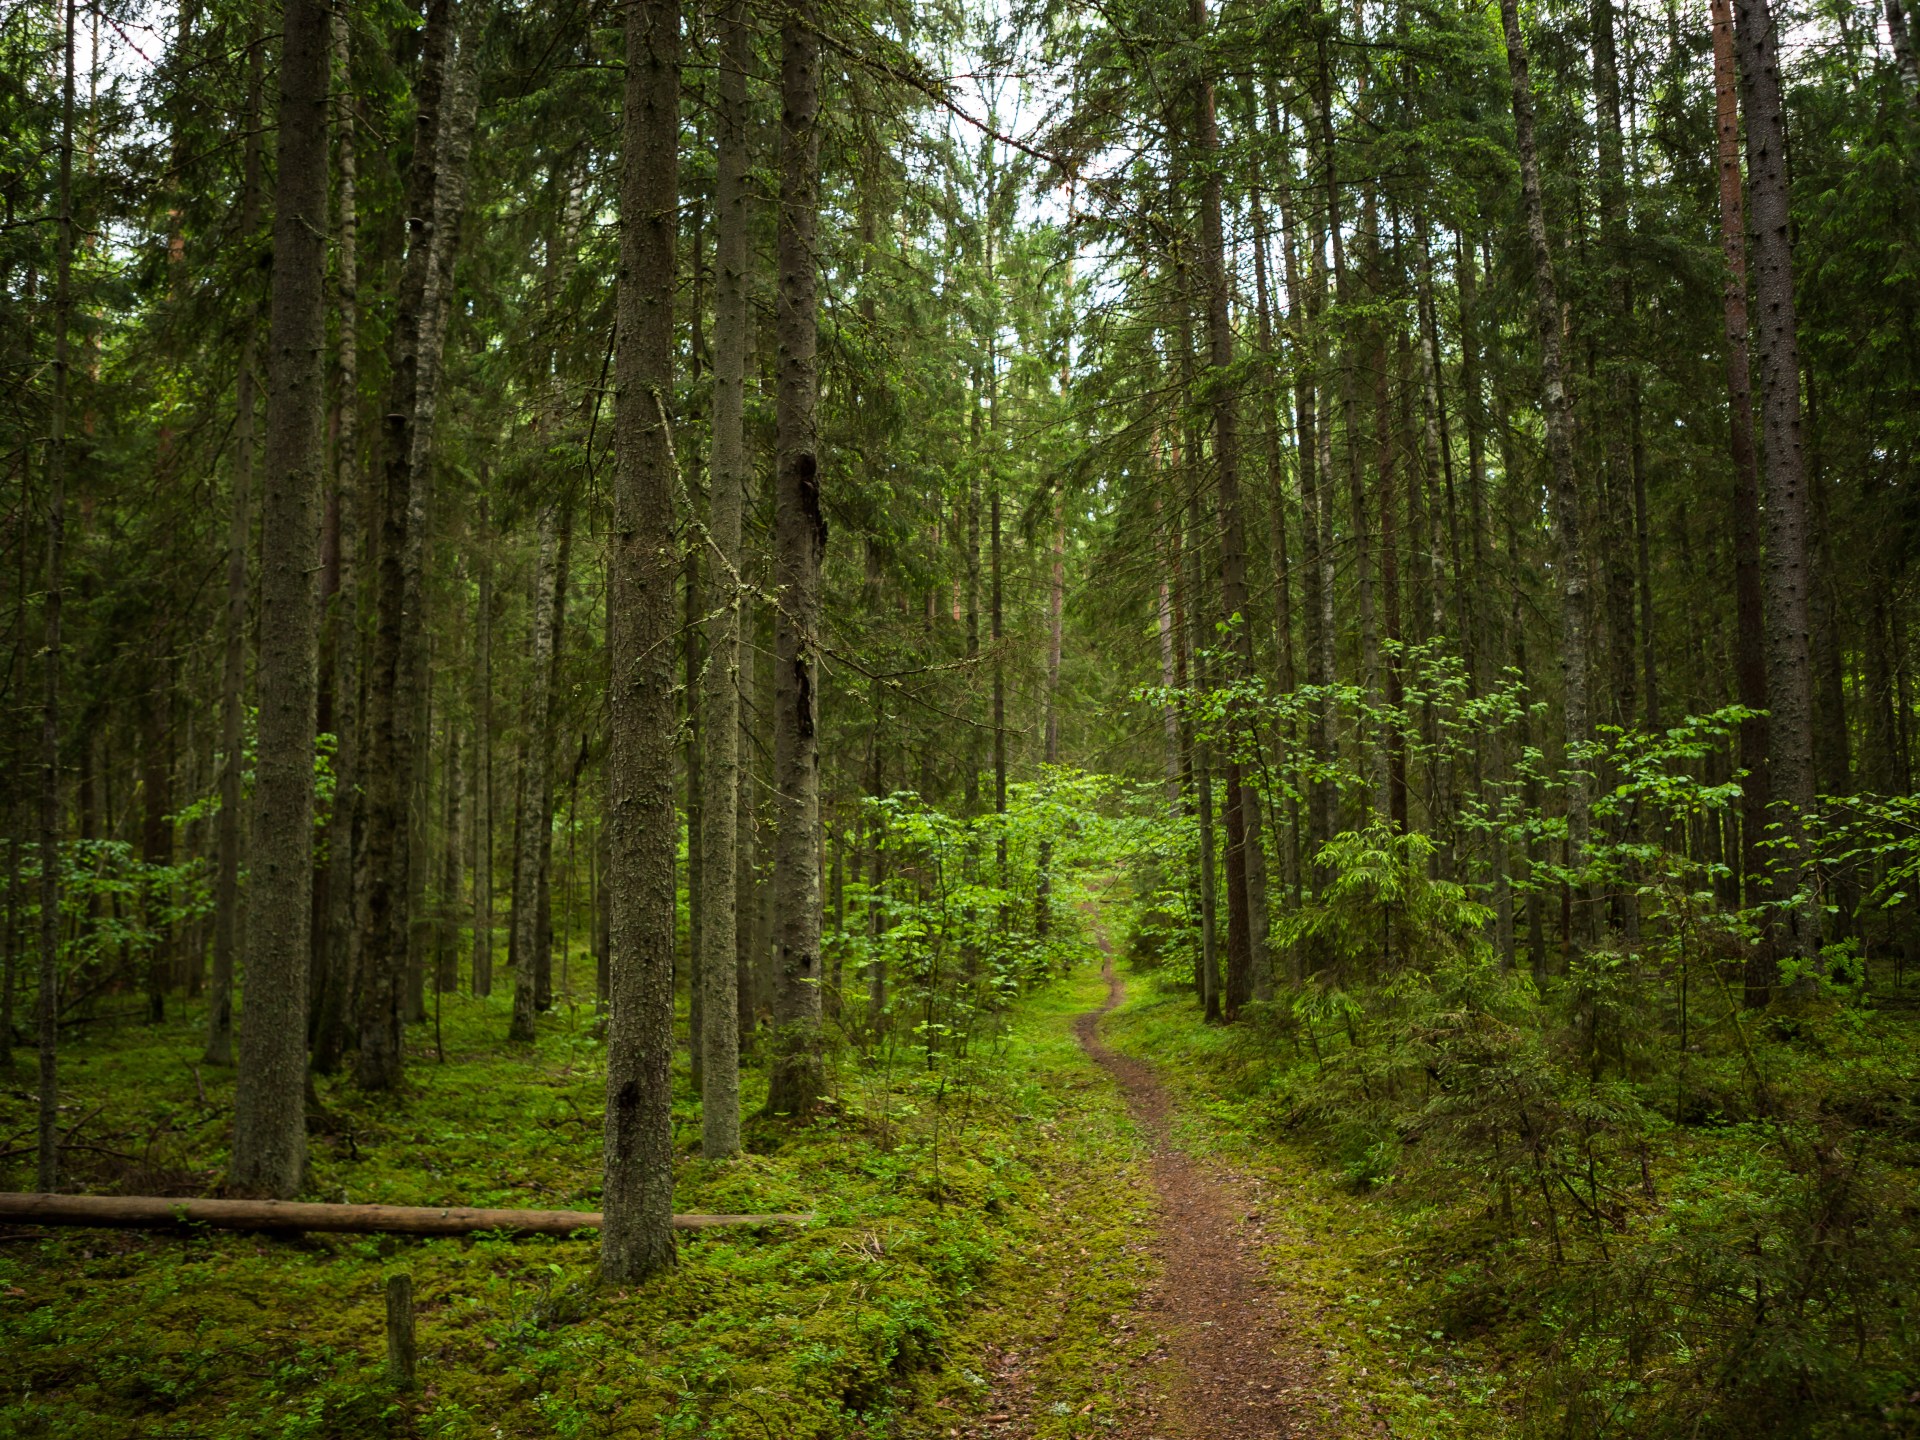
(1560,452)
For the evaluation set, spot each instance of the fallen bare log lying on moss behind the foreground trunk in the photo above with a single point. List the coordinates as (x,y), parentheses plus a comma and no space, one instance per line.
(166,1212)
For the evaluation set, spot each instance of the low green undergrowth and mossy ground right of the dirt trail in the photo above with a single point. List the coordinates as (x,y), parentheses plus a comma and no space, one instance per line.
(1485,1239)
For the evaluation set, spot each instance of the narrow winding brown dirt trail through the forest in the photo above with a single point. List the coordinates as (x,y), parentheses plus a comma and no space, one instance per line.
(1236,1374)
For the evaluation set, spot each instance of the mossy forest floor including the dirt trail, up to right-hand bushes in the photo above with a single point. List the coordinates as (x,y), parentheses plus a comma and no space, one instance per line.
(1042,1243)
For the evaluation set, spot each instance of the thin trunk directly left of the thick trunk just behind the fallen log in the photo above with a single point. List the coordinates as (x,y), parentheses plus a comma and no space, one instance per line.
(233,665)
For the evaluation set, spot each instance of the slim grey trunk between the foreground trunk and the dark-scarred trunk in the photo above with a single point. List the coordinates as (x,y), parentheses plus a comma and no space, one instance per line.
(729,483)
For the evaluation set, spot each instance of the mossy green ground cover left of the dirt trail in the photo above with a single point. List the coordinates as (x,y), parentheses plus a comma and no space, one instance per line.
(951,1218)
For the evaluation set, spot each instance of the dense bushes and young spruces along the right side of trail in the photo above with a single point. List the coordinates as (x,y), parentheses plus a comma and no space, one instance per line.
(1673,1216)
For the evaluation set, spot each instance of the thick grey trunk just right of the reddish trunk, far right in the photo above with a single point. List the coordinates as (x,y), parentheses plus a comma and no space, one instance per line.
(1796,928)
